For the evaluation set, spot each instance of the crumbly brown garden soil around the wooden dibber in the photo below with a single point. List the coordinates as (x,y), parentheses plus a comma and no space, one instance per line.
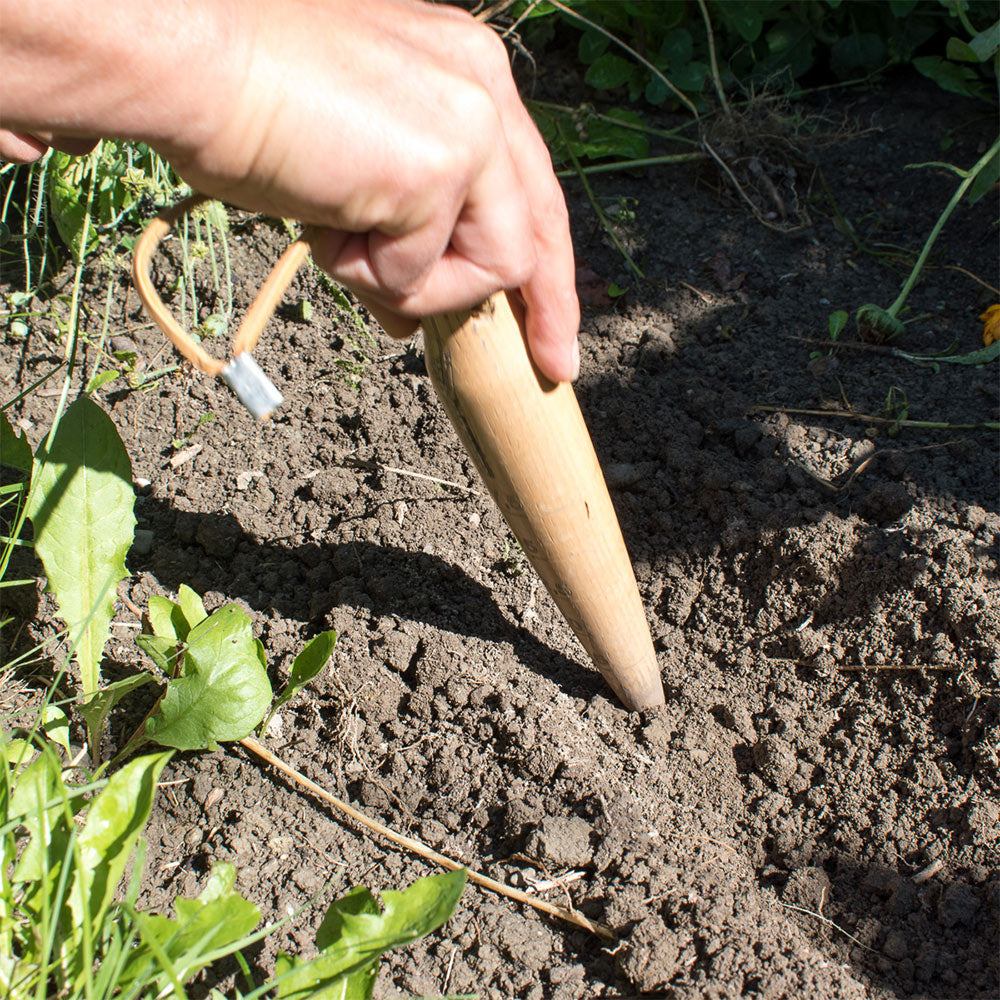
(828,628)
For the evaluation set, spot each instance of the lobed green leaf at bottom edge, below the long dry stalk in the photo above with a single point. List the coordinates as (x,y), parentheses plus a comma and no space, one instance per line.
(354,935)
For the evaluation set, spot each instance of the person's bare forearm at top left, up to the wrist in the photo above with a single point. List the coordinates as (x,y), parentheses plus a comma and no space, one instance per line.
(145,69)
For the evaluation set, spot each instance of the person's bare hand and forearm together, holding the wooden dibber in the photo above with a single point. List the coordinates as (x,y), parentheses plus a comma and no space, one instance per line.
(393,124)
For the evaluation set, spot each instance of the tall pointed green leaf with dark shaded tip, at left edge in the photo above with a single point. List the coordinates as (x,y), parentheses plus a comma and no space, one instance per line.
(81,505)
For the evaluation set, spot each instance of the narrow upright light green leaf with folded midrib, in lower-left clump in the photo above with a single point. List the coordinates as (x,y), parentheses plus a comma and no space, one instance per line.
(114,821)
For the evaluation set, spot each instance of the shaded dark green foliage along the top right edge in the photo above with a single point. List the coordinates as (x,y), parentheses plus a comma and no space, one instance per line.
(951,41)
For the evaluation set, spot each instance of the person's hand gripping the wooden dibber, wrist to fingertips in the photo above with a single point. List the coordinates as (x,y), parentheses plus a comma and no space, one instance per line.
(397,128)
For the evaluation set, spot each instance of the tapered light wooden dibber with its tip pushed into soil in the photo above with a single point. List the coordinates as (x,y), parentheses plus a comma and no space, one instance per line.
(531,446)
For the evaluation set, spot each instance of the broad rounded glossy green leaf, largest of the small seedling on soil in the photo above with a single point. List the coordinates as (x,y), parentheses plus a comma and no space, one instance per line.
(224,691)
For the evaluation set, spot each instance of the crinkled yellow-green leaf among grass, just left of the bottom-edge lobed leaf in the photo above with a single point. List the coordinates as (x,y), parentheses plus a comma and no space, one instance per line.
(218,917)
